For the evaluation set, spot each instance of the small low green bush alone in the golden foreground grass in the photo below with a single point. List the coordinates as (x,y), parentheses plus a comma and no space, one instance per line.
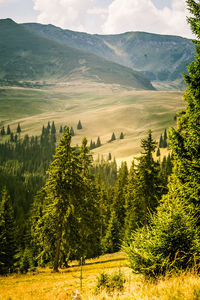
(111,282)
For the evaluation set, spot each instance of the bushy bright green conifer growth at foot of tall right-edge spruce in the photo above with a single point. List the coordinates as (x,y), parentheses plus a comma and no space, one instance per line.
(170,243)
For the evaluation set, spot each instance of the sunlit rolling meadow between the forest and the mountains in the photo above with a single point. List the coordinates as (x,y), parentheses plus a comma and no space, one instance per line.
(102,109)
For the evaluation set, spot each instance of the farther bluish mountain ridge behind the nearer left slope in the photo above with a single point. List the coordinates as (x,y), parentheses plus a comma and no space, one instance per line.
(158,57)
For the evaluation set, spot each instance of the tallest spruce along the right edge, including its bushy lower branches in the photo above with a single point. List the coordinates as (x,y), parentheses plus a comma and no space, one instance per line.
(172,239)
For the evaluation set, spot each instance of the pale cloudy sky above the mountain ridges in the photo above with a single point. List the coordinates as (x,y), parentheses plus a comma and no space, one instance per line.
(102,16)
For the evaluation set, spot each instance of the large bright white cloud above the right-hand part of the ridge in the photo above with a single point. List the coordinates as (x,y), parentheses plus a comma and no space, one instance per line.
(142,15)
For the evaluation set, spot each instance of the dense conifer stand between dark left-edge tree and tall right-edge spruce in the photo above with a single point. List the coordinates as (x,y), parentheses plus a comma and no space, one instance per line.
(81,208)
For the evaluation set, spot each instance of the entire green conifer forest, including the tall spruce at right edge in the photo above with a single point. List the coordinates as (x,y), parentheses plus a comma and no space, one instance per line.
(58,204)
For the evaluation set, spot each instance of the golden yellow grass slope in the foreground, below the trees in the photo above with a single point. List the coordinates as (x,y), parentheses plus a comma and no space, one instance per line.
(47,285)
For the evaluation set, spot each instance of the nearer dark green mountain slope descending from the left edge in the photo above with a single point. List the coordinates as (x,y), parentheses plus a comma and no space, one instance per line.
(26,56)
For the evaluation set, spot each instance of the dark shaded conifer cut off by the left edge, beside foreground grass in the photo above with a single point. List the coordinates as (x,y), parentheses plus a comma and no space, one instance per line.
(8,247)
